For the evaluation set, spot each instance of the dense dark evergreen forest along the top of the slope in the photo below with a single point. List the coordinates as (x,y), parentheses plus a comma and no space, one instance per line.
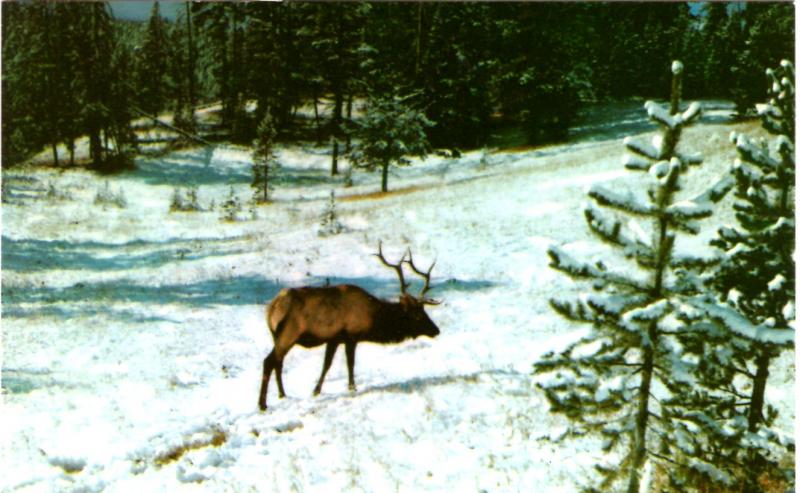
(70,69)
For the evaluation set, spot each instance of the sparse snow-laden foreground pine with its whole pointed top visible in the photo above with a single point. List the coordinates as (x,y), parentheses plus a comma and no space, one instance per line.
(606,383)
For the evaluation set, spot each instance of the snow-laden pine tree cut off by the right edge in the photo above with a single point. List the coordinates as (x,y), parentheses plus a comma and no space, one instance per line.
(752,314)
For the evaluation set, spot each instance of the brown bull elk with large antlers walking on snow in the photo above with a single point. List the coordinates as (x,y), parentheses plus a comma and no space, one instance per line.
(312,316)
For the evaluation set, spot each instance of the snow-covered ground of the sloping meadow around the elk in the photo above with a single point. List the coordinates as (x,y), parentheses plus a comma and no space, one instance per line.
(133,337)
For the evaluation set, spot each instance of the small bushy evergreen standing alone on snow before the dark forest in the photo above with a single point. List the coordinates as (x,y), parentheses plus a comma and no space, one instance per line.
(388,132)
